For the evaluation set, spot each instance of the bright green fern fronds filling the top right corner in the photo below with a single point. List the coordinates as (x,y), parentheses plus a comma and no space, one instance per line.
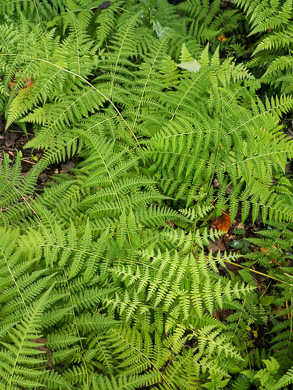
(270,22)
